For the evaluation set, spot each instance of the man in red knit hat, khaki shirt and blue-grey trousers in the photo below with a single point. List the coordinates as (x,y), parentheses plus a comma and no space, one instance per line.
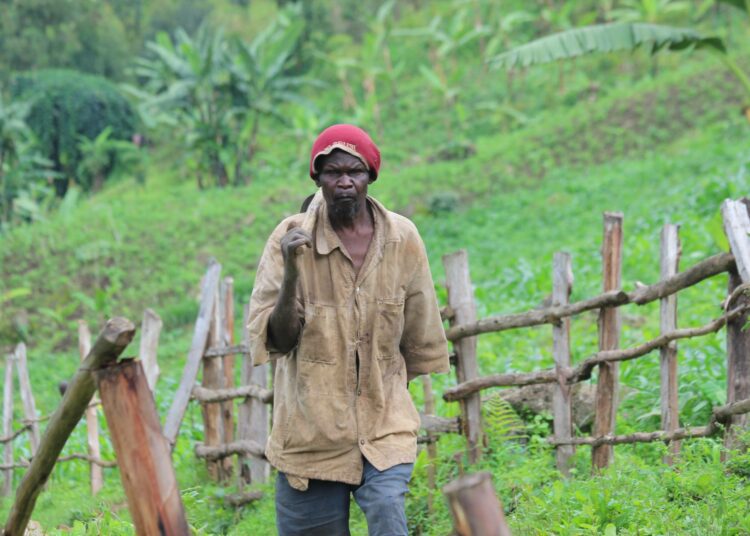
(344,300)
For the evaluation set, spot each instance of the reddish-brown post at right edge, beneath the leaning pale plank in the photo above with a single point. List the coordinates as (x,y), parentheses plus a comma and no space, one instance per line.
(738,364)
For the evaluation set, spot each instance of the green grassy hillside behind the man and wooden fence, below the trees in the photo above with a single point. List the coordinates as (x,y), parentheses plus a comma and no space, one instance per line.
(664,150)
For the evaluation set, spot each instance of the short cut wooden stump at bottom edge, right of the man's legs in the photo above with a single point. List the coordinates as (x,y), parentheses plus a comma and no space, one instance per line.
(475,507)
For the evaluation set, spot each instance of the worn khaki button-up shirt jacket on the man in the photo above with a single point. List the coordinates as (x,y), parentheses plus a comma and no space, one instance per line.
(342,391)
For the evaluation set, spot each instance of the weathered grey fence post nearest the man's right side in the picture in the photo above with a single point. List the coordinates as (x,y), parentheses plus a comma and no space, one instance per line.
(461,300)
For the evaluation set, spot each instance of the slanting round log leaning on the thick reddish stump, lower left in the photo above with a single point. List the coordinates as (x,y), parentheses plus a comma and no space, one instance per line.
(116,335)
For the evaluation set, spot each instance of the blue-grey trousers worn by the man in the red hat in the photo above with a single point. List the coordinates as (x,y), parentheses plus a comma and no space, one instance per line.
(323,510)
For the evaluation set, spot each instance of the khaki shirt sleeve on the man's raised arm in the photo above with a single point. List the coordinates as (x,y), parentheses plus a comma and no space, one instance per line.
(263,299)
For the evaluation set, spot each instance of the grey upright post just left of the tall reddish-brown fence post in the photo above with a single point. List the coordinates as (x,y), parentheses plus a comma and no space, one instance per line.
(562,283)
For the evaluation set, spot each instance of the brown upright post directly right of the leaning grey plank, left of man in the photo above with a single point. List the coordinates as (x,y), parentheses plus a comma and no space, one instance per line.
(213,378)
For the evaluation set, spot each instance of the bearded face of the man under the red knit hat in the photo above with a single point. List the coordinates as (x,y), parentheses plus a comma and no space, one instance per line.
(343,179)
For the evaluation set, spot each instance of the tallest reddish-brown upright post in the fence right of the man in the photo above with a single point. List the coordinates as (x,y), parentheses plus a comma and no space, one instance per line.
(609,339)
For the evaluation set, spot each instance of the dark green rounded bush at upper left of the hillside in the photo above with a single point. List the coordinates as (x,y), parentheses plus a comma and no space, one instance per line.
(67,106)
